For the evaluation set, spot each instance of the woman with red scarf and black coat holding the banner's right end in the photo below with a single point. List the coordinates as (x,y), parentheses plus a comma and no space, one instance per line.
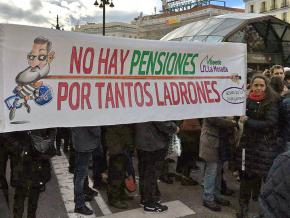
(258,145)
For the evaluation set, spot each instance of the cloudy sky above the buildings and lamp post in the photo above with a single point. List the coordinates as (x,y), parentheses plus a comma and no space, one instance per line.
(71,12)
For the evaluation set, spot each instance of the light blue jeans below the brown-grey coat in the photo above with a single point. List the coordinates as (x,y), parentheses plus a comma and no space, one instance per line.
(212,180)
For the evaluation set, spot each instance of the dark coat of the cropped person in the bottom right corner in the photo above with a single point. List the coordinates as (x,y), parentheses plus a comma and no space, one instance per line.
(275,196)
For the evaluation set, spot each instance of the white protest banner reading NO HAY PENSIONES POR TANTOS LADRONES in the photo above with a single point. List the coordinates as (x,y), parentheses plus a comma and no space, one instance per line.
(53,78)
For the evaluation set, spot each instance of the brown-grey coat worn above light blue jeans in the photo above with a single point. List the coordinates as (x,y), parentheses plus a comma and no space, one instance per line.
(213,133)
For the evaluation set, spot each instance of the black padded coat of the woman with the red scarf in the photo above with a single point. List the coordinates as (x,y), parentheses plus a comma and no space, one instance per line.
(260,136)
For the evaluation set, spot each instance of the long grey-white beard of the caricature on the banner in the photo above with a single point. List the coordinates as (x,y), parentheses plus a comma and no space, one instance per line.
(28,76)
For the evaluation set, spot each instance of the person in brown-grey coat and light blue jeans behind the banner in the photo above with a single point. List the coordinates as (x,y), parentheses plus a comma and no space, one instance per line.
(215,139)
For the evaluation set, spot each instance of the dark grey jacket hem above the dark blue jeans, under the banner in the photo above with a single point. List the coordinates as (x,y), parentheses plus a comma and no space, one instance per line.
(86,139)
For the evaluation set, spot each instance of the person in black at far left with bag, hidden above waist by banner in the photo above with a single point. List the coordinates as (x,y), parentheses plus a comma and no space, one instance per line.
(33,170)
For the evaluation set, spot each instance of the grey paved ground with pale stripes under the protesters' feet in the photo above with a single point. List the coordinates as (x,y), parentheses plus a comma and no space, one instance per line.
(183,201)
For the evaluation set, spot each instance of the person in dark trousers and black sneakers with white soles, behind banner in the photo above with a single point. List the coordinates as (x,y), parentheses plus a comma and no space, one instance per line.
(151,140)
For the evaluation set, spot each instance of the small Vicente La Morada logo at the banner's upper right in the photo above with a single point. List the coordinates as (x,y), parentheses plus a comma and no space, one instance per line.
(212,65)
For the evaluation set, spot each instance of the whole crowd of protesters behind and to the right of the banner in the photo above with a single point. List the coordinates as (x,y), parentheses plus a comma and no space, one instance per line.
(248,143)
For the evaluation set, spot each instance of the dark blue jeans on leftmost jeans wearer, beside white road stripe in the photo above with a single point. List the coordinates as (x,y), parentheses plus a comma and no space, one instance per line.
(80,174)
